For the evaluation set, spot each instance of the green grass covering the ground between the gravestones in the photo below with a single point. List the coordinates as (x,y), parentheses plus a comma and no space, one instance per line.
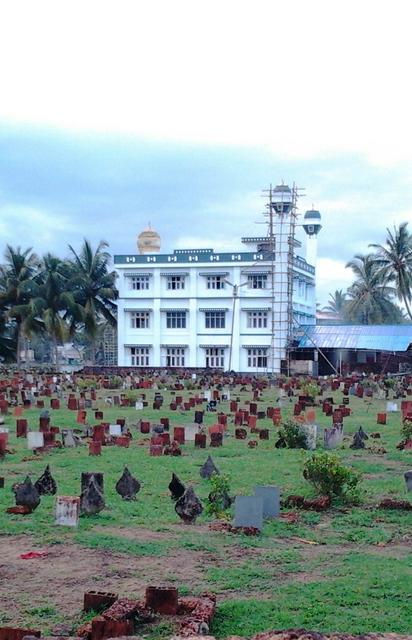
(356,578)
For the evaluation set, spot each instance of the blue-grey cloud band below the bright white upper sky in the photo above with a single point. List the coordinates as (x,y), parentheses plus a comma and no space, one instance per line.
(57,188)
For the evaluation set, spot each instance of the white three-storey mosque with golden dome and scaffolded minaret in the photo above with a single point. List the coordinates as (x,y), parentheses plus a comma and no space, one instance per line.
(232,311)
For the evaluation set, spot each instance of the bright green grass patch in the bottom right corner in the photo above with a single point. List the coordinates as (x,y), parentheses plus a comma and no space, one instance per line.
(362,592)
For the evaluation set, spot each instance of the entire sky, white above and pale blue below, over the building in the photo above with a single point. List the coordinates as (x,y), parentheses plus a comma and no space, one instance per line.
(116,114)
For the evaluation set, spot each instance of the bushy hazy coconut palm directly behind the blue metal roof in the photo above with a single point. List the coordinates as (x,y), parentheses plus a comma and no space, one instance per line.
(370,296)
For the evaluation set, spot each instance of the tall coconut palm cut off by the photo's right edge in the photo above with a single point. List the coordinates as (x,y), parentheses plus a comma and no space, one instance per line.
(395,260)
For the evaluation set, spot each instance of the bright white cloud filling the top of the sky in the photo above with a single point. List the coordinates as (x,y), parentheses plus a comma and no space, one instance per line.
(304,80)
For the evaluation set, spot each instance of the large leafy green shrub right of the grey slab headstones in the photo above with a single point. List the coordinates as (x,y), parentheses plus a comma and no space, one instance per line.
(331,478)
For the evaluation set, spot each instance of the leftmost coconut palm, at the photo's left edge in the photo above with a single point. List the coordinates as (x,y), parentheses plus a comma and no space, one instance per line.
(17,277)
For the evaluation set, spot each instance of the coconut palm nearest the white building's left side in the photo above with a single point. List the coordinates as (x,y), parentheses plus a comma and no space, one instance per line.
(94,288)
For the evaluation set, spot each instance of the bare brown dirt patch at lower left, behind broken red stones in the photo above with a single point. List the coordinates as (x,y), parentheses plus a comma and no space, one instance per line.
(60,579)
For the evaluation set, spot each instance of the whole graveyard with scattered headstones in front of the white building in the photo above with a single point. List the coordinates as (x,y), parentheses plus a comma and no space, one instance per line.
(273,553)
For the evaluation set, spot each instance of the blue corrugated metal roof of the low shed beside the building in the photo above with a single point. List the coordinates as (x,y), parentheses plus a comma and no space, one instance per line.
(370,337)
